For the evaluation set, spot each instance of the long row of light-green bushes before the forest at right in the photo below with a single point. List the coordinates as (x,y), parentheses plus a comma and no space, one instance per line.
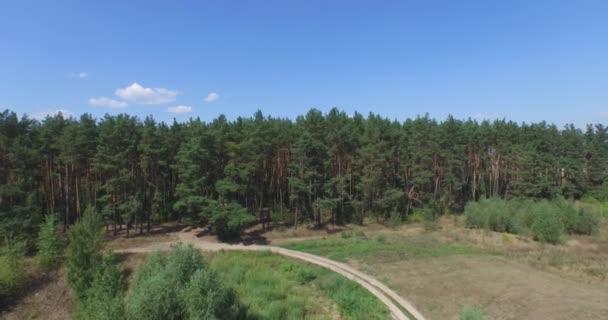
(544,220)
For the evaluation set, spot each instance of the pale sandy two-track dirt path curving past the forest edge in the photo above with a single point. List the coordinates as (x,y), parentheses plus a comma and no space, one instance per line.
(392,300)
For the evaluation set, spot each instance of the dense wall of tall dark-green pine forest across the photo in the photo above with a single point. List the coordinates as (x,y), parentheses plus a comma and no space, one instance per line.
(319,168)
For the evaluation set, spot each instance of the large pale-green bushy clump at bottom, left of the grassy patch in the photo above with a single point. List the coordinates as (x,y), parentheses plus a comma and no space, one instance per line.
(179,286)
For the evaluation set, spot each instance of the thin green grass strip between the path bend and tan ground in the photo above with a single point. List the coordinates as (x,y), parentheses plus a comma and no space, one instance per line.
(383,248)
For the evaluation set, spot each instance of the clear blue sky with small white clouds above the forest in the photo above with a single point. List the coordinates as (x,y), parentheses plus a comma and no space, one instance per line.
(523,60)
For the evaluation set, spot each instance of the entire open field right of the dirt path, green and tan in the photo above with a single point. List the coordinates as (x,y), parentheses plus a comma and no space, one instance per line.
(509,276)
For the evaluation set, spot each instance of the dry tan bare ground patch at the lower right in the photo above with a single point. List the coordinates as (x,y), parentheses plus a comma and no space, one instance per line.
(507,289)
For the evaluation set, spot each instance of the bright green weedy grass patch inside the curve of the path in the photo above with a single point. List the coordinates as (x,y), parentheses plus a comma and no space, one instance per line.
(275,287)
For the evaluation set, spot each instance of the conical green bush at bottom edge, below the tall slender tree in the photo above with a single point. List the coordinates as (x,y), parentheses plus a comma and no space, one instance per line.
(104,299)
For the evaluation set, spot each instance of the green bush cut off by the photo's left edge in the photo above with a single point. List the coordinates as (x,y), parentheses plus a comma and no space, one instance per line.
(12,274)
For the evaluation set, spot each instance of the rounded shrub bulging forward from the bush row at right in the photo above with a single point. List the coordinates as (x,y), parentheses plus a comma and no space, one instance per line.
(546,225)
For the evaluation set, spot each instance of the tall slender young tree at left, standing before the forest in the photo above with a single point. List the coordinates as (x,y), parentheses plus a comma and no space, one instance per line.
(82,253)
